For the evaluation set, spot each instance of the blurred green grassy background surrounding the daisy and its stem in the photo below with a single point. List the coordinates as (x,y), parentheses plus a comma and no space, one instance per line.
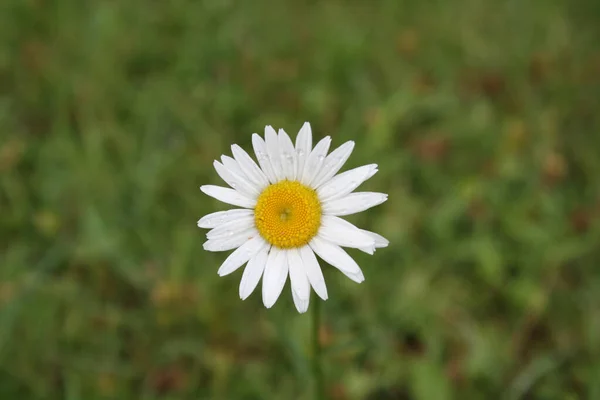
(483,118)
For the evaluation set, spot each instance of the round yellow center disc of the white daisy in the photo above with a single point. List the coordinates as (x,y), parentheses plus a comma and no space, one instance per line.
(288,214)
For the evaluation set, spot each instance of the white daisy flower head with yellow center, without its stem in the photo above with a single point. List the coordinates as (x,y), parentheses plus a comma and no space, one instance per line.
(291,207)
